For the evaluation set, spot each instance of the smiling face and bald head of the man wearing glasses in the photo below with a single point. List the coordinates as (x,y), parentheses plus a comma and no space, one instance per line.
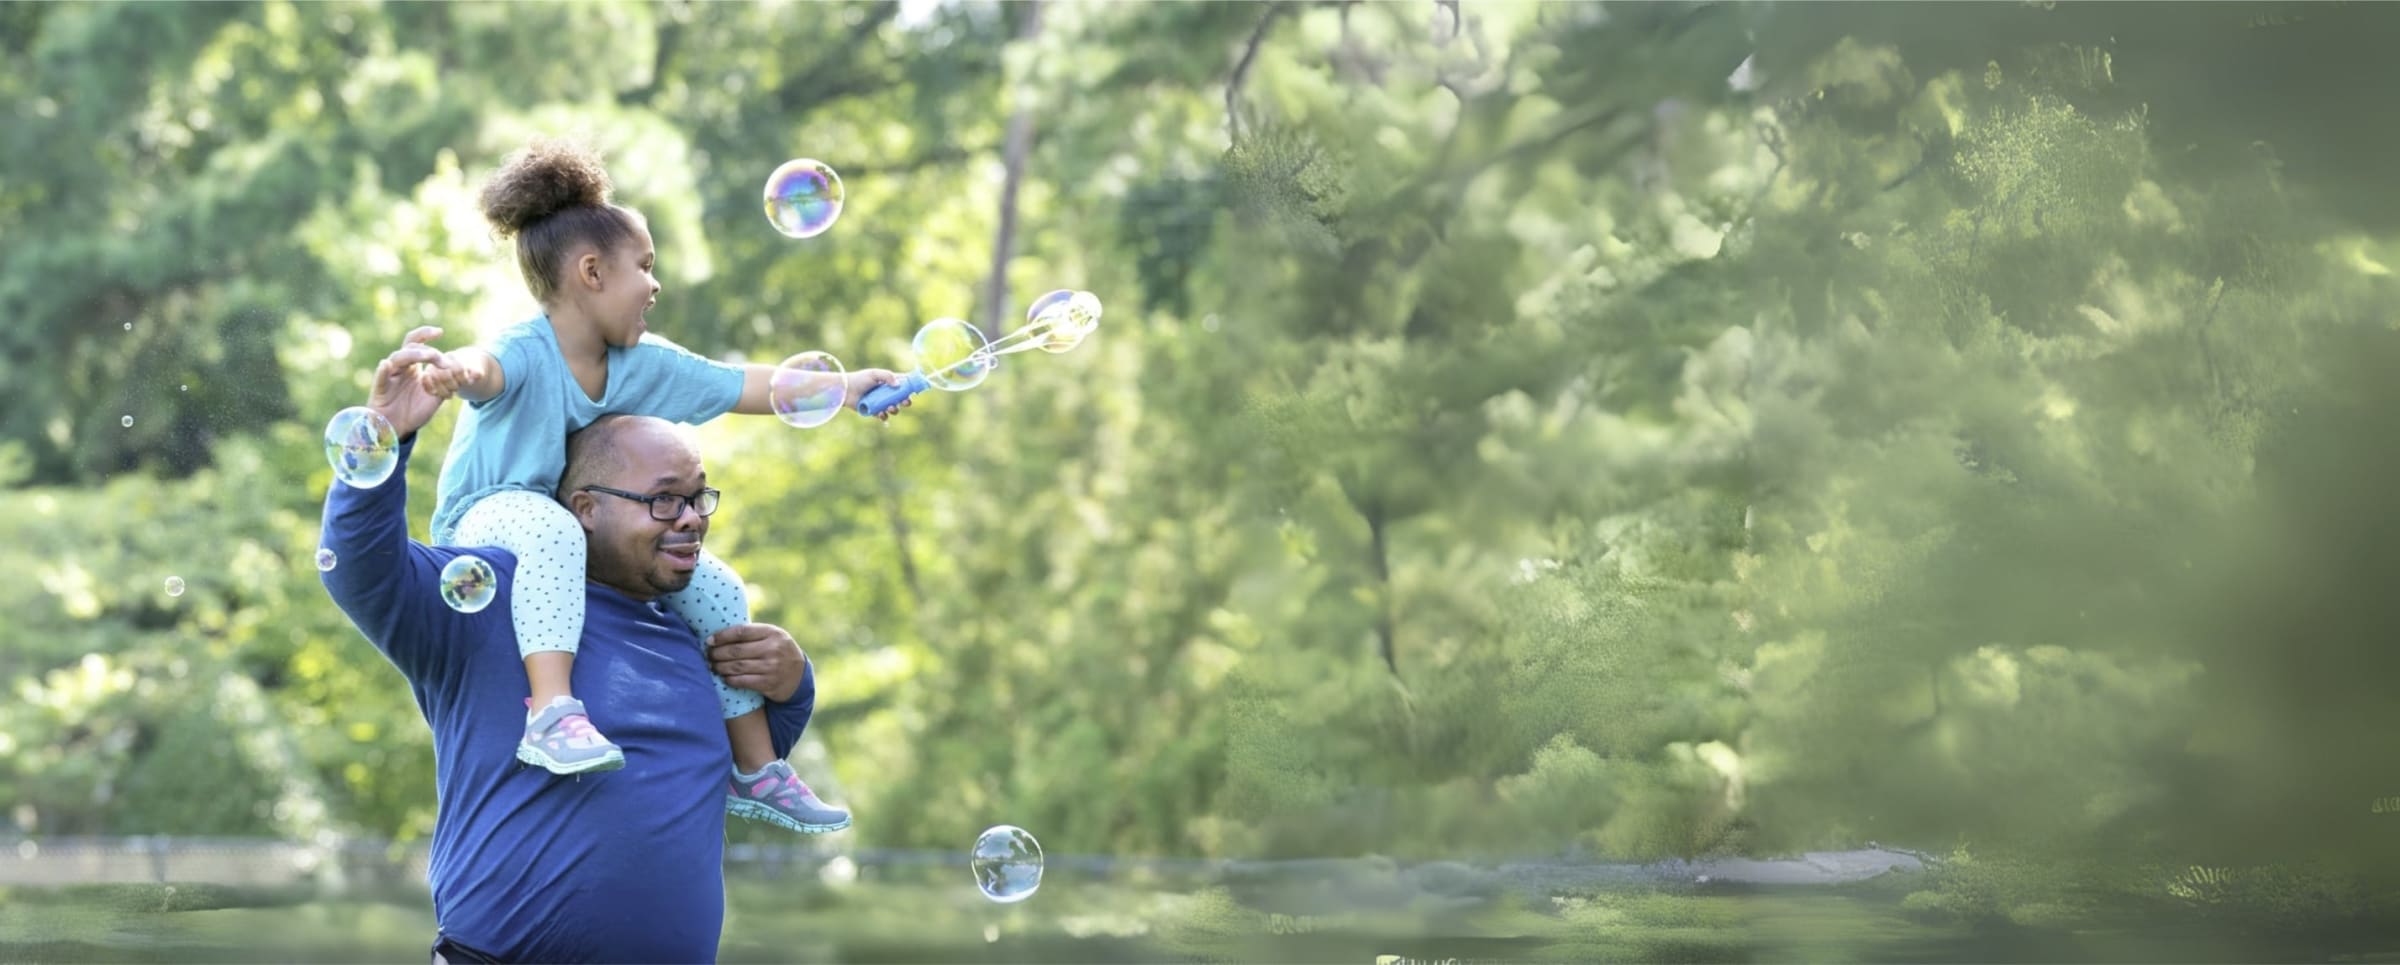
(630,549)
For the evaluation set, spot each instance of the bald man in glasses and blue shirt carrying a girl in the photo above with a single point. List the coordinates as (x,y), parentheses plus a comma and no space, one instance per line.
(529,865)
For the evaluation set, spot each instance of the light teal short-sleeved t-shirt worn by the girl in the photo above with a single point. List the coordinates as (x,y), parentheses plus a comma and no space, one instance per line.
(517,440)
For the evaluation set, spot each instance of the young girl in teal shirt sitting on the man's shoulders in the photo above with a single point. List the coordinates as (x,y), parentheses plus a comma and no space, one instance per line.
(592,268)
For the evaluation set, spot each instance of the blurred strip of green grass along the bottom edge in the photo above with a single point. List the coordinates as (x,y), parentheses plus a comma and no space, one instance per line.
(932,916)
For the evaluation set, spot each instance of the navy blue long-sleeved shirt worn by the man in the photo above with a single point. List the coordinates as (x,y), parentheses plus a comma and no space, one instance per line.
(529,865)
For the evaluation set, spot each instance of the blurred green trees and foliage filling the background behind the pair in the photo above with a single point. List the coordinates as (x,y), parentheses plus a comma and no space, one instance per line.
(1520,428)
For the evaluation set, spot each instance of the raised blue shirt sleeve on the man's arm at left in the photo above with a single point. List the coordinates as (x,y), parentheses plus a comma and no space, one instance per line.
(385,582)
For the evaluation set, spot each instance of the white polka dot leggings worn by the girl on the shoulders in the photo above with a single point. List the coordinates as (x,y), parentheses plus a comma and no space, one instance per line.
(548,597)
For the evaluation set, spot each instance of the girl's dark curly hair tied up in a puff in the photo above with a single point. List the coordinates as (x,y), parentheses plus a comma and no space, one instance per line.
(553,198)
